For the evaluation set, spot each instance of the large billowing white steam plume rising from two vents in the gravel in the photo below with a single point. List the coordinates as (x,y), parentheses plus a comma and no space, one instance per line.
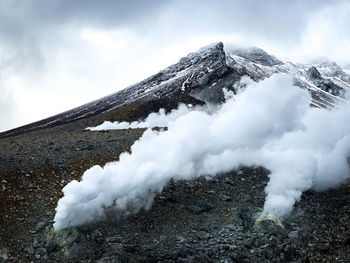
(268,124)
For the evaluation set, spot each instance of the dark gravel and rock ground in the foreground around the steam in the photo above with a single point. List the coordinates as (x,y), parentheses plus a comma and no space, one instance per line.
(190,221)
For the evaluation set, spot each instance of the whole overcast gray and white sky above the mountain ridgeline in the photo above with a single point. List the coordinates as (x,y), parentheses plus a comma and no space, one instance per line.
(59,54)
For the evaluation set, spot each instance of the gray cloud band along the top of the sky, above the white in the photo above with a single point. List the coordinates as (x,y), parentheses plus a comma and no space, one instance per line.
(27,24)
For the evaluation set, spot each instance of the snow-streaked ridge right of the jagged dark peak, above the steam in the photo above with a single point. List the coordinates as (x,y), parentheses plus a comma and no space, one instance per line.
(326,81)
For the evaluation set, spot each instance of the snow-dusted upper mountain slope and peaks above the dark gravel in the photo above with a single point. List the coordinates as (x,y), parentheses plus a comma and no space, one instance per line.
(204,75)
